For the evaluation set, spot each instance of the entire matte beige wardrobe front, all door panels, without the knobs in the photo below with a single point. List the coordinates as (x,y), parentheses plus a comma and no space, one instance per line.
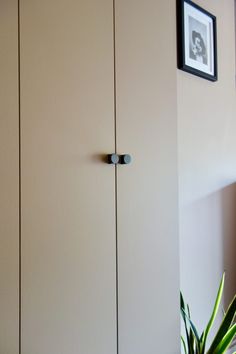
(99,245)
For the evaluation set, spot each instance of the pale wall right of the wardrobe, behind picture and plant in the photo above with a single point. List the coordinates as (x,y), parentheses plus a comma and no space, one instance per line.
(207,172)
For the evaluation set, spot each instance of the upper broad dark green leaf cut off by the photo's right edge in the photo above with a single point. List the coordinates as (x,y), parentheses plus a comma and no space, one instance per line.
(225,325)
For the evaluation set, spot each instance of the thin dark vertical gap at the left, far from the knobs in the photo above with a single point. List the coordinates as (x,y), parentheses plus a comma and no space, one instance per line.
(19,141)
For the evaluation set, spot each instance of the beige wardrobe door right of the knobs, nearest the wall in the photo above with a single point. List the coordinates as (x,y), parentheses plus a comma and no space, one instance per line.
(147,188)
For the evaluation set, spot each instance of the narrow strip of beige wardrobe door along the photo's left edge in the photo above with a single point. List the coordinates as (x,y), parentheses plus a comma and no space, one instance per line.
(9,179)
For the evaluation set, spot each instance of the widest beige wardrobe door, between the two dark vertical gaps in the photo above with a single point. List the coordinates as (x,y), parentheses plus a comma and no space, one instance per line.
(68,217)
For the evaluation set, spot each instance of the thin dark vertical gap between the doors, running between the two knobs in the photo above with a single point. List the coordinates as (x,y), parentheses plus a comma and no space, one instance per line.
(116,177)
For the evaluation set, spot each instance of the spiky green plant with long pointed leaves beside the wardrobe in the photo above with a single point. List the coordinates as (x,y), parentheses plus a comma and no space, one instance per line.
(195,343)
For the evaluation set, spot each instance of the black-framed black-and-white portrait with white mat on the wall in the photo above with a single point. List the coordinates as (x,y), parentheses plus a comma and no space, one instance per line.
(196,40)
